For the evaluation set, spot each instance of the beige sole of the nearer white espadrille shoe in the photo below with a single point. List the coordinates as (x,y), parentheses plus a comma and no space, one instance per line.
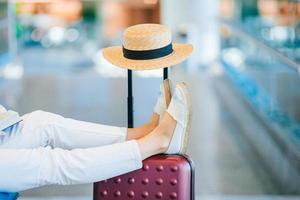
(183,88)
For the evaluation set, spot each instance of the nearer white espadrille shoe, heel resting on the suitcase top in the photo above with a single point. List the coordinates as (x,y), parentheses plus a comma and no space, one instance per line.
(180,110)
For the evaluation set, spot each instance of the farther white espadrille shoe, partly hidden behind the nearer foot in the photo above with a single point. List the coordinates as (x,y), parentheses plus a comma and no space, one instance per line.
(164,98)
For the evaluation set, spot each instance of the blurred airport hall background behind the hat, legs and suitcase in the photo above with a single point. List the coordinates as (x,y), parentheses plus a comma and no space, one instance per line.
(243,77)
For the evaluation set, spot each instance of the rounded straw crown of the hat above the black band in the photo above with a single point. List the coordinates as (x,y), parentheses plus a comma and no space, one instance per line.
(146,37)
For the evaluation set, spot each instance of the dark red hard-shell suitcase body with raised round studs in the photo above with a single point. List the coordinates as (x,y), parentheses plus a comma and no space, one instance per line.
(162,177)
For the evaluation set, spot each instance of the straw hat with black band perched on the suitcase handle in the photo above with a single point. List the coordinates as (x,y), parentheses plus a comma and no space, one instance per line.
(147,46)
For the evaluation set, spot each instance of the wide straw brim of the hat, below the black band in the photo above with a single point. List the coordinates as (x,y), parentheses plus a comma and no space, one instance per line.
(114,55)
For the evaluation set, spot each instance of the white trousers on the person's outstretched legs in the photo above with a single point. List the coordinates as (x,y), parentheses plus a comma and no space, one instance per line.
(47,149)
